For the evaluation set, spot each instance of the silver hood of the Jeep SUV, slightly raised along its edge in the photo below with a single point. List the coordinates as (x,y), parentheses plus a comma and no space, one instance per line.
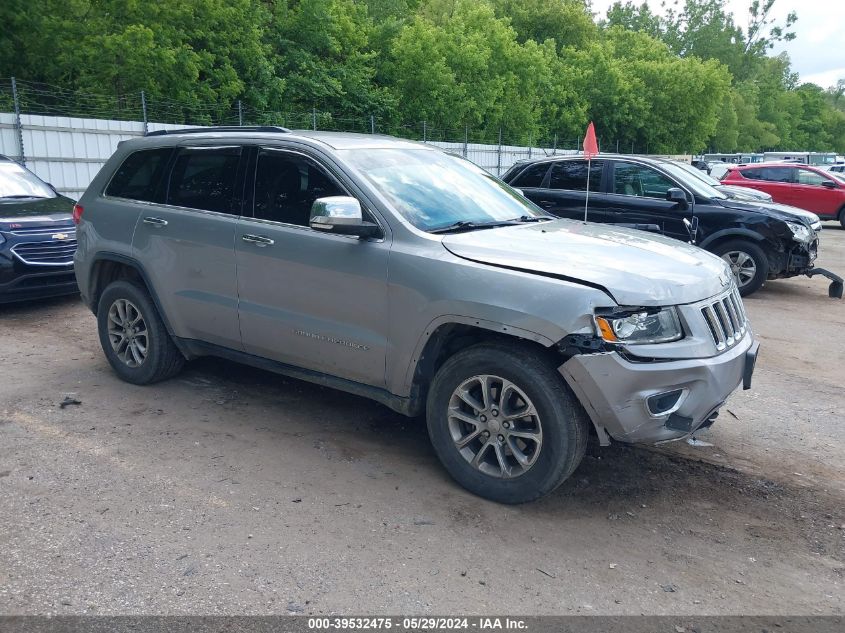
(634,267)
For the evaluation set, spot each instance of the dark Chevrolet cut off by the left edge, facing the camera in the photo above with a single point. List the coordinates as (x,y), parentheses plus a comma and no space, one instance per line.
(37,236)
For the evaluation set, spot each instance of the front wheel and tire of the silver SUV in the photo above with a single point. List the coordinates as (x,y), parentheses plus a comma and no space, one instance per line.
(560,419)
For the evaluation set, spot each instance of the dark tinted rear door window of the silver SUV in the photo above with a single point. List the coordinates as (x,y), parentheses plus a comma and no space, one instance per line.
(204,178)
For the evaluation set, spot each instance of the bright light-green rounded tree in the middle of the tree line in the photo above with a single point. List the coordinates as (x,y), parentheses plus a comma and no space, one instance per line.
(456,64)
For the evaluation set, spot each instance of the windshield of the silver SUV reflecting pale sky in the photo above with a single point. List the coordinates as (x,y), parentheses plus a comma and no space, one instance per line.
(433,190)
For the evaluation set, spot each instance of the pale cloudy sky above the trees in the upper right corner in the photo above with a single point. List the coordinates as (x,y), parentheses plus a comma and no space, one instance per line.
(817,52)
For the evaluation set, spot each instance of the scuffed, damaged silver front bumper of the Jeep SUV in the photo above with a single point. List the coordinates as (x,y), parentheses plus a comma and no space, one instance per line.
(648,402)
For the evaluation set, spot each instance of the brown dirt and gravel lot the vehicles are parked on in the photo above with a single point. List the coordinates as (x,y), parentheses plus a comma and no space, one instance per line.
(230,490)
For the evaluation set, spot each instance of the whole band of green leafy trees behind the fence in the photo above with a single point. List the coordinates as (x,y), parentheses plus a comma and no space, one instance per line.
(683,79)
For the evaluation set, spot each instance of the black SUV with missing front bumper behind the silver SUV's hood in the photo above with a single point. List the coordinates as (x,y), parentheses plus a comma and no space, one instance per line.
(759,241)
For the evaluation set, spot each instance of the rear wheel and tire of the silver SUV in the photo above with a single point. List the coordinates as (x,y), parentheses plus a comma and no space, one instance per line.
(155,356)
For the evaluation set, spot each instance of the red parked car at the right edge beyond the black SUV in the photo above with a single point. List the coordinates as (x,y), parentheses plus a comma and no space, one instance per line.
(803,186)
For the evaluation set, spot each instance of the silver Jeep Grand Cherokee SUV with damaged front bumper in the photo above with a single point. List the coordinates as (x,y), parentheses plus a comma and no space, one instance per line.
(398,272)
